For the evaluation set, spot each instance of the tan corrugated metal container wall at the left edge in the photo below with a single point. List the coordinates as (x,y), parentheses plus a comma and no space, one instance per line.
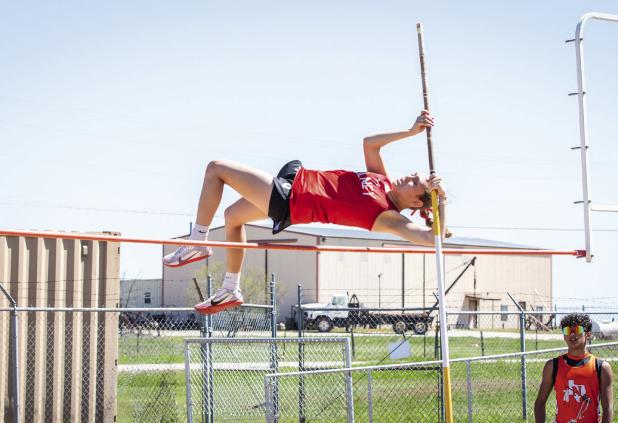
(67,361)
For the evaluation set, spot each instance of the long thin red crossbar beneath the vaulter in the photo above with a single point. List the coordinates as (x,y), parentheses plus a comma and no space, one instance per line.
(269,246)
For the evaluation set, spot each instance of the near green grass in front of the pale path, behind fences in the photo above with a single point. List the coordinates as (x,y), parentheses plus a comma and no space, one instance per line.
(397,396)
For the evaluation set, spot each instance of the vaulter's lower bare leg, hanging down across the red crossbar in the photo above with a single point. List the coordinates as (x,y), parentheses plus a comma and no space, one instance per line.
(236,215)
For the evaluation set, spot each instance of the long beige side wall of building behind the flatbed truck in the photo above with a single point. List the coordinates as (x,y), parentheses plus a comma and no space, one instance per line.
(527,278)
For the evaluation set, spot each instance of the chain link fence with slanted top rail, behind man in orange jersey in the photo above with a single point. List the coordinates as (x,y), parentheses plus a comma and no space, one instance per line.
(498,388)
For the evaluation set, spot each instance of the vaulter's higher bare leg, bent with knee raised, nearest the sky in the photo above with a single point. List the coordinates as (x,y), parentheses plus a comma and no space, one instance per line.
(252,184)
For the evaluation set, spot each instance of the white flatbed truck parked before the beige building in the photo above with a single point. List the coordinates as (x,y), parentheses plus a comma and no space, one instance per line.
(342,311)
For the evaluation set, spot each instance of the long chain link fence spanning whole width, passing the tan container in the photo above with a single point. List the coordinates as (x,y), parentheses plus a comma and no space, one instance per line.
(92,364)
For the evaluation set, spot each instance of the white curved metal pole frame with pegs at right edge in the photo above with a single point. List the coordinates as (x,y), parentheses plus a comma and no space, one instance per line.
(583,127)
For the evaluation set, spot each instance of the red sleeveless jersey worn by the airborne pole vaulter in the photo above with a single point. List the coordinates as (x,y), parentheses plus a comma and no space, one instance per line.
(339,196)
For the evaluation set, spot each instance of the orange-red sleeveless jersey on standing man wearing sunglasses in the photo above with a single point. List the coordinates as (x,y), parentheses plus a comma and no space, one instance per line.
(577,391)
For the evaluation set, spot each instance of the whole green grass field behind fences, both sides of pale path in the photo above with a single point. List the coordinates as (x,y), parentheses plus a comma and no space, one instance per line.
(159,395)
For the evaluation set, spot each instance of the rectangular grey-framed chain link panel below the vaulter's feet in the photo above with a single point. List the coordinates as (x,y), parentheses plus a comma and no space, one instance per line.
(200,360)
